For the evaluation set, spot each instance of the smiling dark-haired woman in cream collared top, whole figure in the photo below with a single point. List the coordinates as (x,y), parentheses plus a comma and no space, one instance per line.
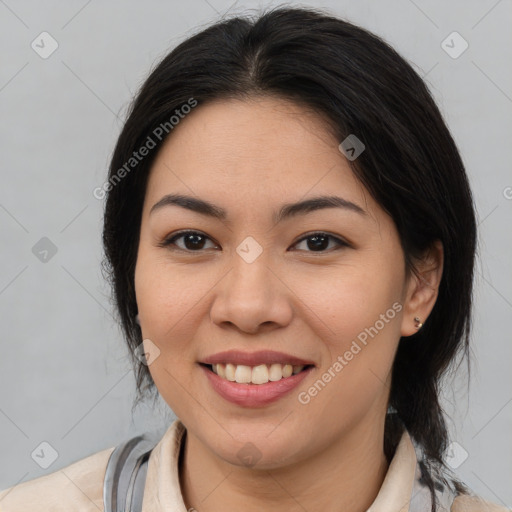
(290,237)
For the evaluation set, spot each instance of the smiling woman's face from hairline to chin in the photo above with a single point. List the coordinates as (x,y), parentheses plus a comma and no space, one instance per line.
(249,283)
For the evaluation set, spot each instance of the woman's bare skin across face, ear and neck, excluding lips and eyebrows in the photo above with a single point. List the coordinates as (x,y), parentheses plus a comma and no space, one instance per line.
(249,157)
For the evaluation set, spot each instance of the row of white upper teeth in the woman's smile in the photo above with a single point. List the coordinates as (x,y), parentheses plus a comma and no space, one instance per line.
(260,374)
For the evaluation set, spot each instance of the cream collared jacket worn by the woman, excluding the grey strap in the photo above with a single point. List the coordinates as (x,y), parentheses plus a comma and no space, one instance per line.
(79,486)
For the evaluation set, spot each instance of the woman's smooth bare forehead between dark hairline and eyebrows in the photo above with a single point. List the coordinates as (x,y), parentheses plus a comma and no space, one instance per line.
(262,150)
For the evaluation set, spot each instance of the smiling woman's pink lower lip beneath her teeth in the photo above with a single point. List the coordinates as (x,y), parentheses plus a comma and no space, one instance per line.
(254,395)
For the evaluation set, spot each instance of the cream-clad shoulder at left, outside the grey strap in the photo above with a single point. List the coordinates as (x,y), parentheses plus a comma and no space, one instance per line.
(78,486)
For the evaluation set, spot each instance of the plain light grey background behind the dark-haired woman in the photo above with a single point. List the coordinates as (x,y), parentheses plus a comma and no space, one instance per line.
(65,376)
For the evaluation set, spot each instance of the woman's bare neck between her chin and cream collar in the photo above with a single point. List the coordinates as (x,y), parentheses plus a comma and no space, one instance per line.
(347,475)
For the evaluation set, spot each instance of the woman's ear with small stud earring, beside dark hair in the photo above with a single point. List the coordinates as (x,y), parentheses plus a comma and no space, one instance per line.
(421,288)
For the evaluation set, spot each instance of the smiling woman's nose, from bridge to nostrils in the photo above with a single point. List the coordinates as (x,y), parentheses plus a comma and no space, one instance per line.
(252,297)
